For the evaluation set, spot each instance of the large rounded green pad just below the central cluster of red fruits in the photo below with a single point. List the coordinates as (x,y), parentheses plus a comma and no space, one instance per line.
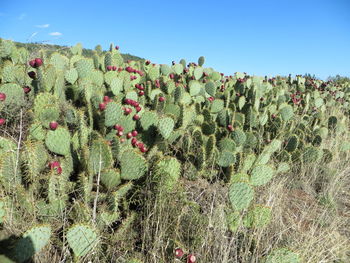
(133,165)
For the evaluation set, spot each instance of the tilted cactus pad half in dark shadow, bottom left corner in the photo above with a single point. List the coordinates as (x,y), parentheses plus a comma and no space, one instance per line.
(31,242)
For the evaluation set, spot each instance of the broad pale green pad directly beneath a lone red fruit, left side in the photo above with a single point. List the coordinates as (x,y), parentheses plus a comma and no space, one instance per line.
(58,141)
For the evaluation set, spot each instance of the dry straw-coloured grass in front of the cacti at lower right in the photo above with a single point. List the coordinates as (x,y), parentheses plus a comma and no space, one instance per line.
(311,216)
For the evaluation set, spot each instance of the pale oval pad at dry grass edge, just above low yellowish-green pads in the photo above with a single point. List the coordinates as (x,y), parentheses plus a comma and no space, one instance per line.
(240,195)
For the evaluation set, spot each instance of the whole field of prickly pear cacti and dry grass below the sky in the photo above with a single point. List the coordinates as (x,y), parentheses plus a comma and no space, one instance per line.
(107,160)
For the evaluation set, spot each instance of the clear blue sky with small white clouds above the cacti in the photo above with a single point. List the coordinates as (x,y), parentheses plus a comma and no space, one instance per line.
(261,37)
